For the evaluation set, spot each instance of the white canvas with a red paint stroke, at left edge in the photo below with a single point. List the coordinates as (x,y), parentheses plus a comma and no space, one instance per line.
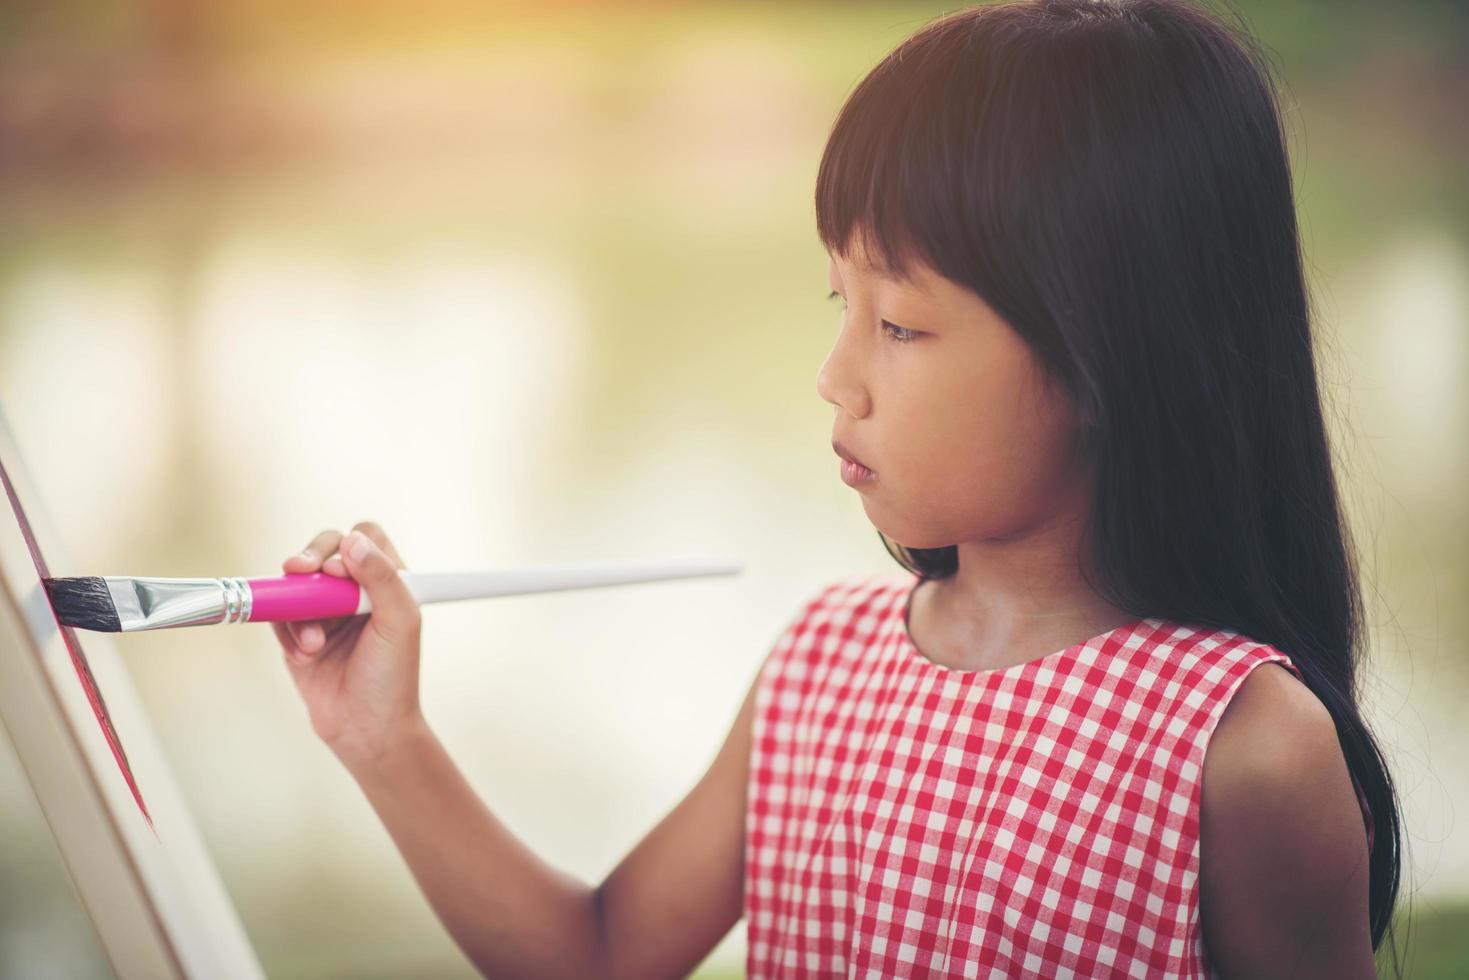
(83,737)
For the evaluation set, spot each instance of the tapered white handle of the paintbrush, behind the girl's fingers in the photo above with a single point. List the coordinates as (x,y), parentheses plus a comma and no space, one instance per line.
(450,587)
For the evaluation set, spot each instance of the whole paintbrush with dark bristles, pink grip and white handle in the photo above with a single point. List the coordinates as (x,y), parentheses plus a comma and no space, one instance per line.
(126,605)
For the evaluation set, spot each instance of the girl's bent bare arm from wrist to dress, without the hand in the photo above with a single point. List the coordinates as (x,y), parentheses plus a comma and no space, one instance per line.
(657,915)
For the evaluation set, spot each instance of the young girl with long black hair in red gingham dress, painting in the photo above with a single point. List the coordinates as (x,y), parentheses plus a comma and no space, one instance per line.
(1075,390)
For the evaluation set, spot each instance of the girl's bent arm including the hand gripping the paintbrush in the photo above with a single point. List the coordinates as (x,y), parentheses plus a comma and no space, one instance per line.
(656,916)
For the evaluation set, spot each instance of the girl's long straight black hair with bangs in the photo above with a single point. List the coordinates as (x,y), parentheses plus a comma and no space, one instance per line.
(1113,179)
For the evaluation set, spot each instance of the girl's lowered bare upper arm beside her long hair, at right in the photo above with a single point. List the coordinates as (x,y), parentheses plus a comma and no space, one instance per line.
(1283,850)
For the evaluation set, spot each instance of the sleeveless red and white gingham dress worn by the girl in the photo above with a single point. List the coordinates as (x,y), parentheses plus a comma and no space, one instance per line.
(907,819)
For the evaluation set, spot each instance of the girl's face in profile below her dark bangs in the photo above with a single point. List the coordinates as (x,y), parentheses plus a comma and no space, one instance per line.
(950,409)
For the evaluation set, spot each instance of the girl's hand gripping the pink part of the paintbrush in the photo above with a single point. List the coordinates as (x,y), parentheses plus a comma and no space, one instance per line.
(359,675)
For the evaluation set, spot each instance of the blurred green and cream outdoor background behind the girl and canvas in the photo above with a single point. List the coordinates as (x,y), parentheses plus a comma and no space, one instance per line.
(540,284)
